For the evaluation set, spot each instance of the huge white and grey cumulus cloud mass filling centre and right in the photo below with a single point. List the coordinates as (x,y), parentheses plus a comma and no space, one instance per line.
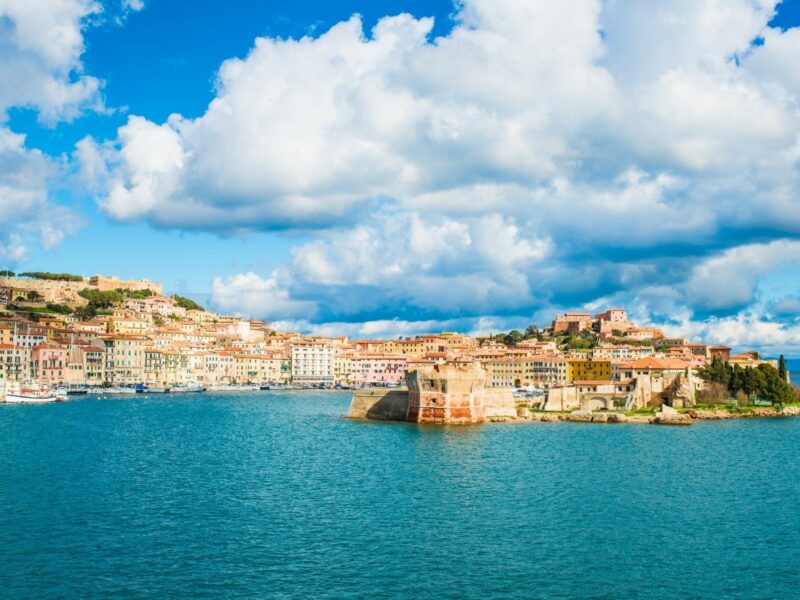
(541,154)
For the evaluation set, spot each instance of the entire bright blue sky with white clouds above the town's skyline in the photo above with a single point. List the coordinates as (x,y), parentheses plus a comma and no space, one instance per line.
(395,167)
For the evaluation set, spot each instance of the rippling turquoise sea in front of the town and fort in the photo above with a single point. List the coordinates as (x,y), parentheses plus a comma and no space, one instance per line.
(271,495)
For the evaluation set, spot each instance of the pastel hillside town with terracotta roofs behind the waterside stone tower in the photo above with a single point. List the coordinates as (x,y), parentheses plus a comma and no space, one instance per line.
(101,332)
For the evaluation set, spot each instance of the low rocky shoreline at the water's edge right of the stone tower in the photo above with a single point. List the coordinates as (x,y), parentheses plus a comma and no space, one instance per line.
(665,416)
